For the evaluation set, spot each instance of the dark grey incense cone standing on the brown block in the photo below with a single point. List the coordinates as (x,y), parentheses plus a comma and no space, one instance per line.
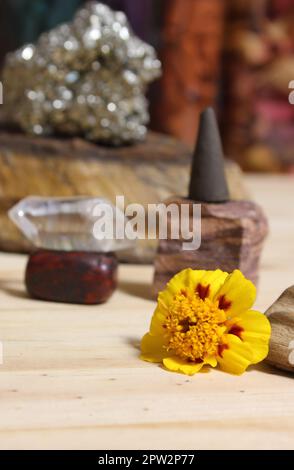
(208,182)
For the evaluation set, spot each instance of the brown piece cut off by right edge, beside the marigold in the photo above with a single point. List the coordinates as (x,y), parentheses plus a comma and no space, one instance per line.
(281,317)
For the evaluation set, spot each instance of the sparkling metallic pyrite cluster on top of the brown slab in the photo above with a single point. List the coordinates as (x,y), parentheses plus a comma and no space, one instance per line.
(83,78)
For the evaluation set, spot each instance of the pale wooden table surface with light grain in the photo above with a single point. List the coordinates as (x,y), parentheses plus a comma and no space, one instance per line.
(71,376)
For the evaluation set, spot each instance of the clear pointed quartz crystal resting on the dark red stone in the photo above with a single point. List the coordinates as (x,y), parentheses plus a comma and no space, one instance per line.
(71,224)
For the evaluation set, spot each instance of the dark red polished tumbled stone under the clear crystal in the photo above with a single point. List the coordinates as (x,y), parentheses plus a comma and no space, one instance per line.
(71,276)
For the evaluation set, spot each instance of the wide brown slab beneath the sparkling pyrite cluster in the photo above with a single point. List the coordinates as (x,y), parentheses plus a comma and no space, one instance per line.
(144,173)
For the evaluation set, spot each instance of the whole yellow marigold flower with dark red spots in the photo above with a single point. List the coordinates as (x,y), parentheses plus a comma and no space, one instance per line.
(204,318)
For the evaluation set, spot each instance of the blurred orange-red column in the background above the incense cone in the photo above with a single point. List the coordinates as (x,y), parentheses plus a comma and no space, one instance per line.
(192,44)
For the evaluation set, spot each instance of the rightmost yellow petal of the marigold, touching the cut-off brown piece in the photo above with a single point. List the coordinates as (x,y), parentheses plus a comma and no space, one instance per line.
(256,333)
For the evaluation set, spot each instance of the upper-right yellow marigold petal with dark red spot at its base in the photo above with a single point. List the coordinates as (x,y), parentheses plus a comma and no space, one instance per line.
(237,294)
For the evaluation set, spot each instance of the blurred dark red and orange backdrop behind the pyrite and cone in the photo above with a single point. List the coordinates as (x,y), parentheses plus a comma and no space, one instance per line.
(235,54)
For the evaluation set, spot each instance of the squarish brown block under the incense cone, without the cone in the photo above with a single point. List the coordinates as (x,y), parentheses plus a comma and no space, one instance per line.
(232,236)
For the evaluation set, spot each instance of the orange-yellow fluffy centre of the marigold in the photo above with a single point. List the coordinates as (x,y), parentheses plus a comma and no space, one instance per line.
(194,327)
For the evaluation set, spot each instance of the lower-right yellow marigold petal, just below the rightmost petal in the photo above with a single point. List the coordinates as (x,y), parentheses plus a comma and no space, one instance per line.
(237,357)
